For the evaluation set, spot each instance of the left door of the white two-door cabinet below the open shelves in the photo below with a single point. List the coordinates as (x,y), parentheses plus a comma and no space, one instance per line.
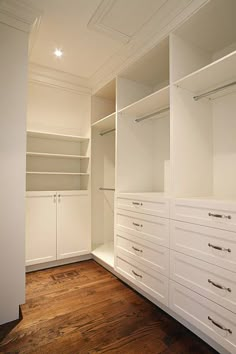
(40,227)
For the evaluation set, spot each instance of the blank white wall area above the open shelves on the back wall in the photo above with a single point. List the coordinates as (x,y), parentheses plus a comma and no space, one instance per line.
(58,110)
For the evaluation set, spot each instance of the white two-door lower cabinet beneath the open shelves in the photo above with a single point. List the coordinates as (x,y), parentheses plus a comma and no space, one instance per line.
(57,226)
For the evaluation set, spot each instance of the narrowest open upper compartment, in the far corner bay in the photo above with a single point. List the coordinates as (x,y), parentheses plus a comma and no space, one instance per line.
(104,105)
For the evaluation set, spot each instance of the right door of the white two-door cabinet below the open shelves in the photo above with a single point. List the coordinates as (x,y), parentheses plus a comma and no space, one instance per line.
(73,224)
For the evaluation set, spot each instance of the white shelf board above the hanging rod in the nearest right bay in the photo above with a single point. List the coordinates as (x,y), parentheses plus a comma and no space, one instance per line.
(211,76)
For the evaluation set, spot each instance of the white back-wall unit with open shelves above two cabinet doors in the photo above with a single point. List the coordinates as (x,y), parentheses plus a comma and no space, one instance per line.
(57,197)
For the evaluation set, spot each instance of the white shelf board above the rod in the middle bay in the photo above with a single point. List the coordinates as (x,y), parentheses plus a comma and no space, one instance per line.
(149,104)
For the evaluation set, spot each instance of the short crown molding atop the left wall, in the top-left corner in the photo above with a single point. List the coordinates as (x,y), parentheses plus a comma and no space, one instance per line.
(18,14)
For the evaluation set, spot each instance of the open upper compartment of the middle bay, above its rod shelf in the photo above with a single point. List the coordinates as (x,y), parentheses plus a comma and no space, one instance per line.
(144,78)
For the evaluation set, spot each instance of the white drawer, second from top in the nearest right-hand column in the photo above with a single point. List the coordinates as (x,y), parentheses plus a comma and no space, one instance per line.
(211,245)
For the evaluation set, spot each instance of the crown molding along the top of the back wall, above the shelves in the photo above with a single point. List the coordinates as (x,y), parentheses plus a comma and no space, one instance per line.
(58,79)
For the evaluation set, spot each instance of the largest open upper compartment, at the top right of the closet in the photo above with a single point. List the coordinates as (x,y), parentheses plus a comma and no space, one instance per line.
(207,37)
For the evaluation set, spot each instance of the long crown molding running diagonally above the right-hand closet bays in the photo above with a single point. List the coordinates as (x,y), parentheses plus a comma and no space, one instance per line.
(176,12)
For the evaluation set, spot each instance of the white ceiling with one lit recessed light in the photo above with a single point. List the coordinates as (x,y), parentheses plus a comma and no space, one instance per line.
(97,35)
